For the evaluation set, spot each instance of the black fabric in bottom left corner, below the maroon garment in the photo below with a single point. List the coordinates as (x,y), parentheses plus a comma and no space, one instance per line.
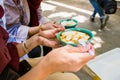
(9,74)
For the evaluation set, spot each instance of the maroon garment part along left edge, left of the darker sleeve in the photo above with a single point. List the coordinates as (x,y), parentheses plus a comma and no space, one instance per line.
(4,53)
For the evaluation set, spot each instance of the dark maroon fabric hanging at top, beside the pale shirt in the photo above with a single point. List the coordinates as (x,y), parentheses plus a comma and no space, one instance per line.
(34,5)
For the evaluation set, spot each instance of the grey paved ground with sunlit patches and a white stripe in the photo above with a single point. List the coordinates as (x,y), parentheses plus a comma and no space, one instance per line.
(81,10)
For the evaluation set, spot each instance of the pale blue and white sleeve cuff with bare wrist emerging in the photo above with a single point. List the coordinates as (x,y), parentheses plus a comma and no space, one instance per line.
(19,33)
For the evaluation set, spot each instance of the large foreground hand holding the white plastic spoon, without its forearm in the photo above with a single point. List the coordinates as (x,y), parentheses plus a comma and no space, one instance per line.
(67,58)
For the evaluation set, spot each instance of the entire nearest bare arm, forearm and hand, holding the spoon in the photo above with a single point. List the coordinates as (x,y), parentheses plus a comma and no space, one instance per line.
(66,58)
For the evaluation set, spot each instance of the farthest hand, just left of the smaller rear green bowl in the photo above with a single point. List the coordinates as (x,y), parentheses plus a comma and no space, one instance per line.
(51,25)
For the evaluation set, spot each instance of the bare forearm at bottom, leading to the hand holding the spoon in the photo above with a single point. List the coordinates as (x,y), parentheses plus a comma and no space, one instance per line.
(39,72)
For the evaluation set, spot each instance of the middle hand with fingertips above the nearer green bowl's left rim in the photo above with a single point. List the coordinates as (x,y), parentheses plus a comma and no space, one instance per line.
(51,33)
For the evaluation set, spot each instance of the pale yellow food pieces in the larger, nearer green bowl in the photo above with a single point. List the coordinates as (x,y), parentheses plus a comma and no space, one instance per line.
(74,37)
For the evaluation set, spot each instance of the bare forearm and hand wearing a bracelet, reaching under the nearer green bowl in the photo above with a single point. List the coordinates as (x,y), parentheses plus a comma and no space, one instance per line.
(35,41)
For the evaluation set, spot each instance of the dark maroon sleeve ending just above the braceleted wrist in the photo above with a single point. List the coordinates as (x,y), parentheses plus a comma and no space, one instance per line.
(14,63)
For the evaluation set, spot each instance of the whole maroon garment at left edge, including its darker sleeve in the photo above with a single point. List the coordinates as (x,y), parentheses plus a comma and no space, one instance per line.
(9,53)
